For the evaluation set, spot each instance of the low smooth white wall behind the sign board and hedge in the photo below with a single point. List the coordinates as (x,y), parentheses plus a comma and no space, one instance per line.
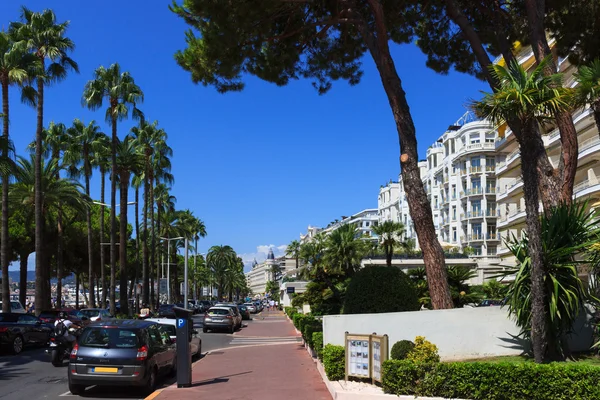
(460,333)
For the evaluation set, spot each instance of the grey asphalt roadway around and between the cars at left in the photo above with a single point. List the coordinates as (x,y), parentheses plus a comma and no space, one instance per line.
(30,375)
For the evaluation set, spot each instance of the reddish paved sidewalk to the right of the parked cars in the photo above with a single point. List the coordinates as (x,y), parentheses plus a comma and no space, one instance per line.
(274,366)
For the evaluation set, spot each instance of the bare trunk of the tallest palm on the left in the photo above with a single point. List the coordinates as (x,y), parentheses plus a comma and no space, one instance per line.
(42,297)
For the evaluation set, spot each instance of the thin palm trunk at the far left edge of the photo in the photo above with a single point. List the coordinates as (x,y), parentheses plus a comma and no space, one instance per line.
(4,238)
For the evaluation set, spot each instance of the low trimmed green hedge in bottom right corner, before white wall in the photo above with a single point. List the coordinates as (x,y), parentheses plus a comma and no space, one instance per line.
(492,381)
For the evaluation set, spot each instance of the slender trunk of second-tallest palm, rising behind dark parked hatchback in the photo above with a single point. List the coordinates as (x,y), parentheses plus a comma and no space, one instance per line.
(113,220)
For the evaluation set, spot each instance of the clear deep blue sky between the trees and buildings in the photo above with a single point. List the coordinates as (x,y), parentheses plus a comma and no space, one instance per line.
(258,166)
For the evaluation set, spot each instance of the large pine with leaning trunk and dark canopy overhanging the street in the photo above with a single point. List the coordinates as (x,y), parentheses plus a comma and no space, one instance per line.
(324,41)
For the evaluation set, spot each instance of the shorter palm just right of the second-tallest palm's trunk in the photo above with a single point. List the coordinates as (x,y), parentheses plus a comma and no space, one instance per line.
(128,161)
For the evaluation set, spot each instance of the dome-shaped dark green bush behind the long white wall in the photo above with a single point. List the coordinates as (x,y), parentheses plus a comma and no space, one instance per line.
(379,290)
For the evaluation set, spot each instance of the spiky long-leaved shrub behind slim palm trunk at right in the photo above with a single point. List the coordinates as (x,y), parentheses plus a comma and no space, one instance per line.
(568,234)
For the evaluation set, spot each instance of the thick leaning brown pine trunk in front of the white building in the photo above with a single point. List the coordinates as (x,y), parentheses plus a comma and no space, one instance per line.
(419,206)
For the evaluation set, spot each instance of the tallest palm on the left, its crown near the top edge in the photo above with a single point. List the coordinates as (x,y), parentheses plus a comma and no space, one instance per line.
(46,39)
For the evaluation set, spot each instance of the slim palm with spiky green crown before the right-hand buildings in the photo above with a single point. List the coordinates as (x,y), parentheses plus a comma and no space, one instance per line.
(528,99)
